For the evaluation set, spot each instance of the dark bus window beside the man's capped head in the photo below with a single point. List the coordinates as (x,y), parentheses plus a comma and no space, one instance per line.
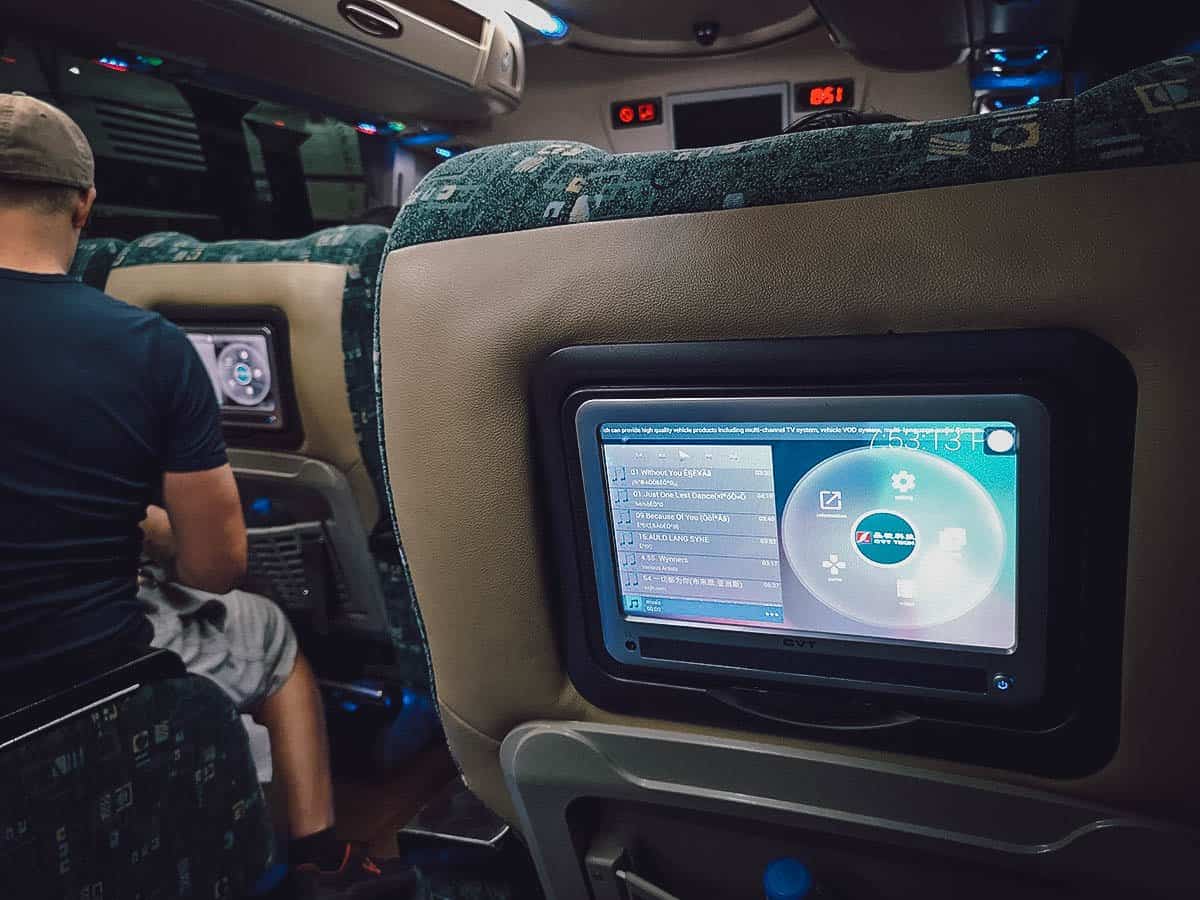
(175,153)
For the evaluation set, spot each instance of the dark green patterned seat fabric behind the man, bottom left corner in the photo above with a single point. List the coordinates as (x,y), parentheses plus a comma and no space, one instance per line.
(151,796)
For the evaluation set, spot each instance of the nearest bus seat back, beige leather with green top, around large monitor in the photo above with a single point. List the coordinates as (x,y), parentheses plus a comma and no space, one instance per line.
(1061,214)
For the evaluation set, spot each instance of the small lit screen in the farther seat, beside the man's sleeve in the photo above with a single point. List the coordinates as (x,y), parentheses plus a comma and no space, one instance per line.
(239,365)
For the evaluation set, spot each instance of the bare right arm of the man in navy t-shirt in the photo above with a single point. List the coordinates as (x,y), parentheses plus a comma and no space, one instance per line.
(209,532)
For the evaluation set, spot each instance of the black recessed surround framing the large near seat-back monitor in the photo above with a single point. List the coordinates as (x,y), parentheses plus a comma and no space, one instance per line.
(1090,392)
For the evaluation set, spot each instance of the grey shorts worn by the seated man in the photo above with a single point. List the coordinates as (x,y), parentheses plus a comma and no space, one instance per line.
(242,641)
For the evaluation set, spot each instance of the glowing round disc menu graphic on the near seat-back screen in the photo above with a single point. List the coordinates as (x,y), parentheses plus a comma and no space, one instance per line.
(893,538)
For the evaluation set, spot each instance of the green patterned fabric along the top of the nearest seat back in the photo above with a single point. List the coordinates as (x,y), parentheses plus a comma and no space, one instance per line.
(1150,117)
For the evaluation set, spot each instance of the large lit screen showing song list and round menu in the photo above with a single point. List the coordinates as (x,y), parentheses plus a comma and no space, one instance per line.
(886,531)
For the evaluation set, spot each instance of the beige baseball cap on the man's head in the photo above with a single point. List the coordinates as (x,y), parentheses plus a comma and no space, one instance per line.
(41,143)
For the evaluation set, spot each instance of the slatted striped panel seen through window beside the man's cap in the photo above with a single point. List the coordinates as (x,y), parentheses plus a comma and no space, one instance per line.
(152,137)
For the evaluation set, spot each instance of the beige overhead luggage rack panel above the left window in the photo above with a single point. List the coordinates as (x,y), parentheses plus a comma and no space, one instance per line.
(424,59)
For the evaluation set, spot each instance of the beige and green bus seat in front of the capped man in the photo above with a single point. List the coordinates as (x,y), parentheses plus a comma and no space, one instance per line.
(326,286)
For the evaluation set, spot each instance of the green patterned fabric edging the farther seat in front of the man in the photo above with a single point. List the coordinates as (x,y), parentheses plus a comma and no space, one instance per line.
(361,250)
